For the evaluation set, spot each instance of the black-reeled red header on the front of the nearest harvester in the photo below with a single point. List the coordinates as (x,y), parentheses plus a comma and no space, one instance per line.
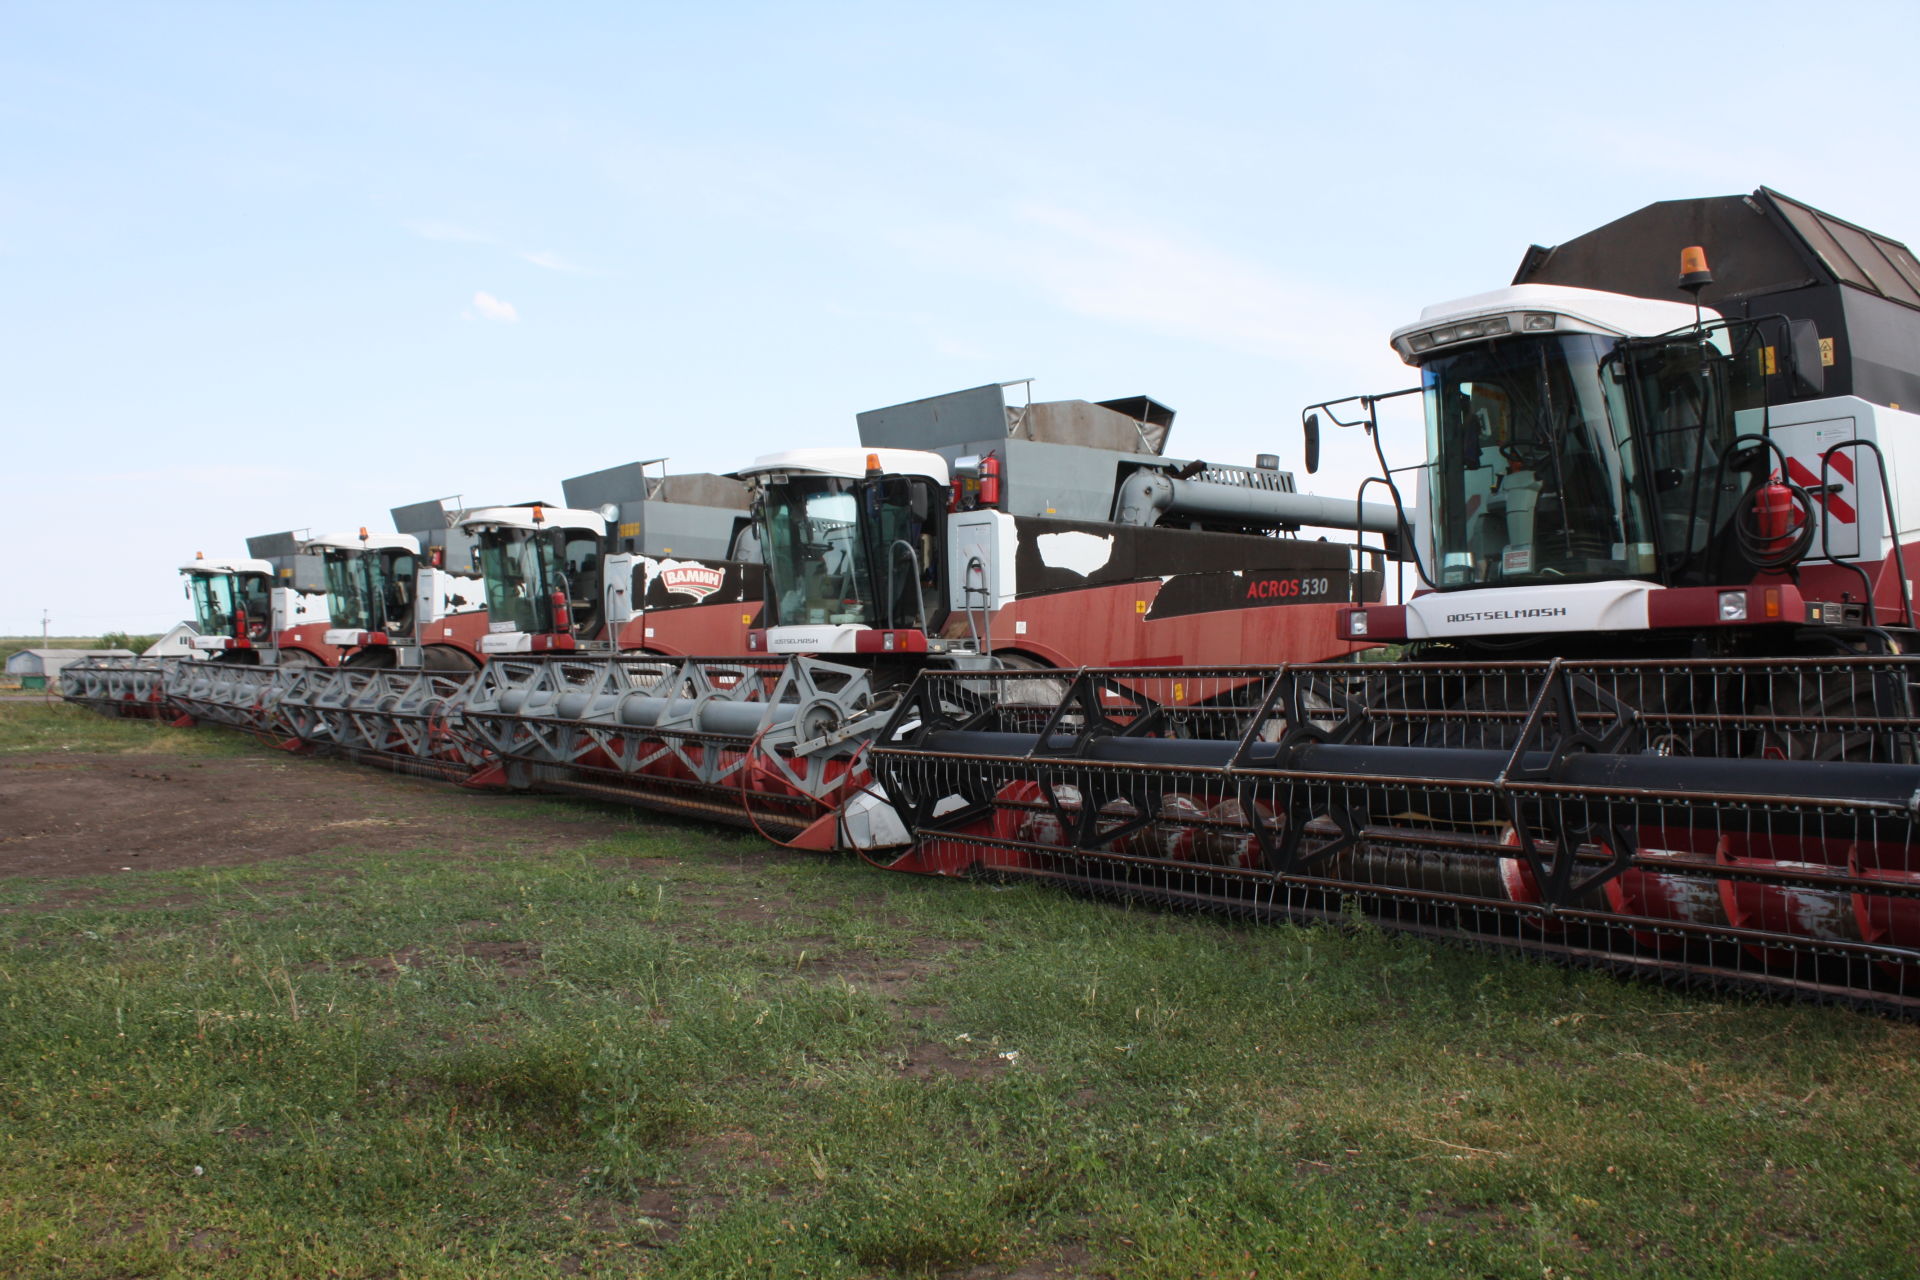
(1524,805)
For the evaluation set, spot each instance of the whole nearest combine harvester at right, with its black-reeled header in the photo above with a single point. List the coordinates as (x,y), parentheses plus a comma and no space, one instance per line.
(1658,711)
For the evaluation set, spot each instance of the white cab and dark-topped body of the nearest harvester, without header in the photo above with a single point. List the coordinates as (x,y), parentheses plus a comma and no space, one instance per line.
(1610,460)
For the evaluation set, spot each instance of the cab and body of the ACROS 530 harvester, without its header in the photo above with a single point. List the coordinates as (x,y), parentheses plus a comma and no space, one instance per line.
(1049,536)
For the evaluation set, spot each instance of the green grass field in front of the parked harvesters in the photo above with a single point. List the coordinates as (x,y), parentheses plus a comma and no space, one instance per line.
(673,1053)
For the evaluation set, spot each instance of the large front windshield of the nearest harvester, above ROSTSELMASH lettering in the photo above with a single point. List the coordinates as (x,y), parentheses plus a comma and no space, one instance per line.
(1533,465)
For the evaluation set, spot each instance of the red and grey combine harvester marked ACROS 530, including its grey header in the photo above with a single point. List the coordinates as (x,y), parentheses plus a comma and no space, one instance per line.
(965,534)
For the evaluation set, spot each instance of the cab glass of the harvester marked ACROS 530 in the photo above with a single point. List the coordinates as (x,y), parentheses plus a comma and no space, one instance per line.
(850,552)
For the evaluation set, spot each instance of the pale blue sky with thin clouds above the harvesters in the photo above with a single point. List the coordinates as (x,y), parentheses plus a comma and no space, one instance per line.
(272,266)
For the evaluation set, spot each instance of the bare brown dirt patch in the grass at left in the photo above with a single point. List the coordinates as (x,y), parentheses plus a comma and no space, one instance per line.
(85,815)
